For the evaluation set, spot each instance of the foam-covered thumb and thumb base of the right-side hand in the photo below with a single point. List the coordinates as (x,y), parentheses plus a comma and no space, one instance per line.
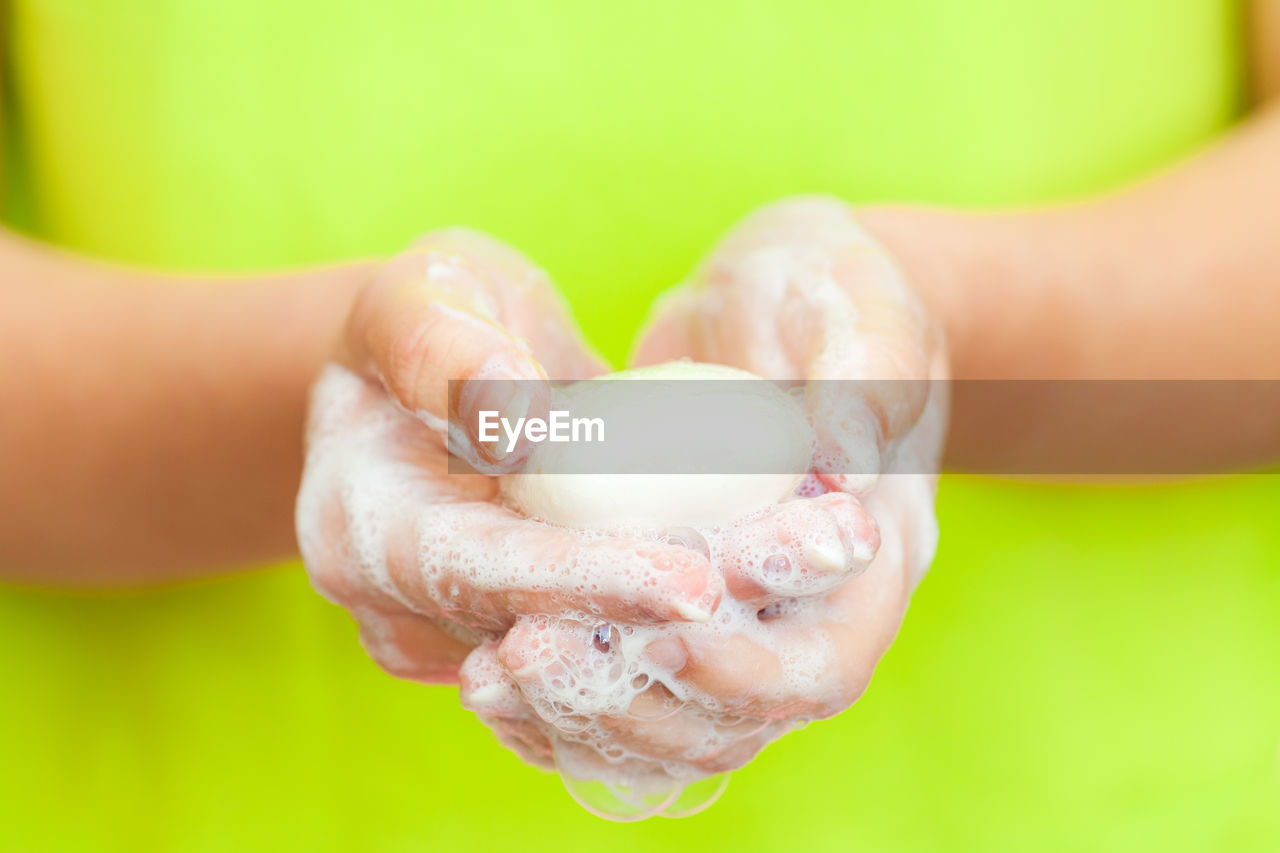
(842,314)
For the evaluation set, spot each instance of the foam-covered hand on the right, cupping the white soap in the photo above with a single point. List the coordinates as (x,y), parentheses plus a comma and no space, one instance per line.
(798,291)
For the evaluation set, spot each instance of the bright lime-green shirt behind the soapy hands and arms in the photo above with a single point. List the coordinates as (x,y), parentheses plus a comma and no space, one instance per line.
(1085,669)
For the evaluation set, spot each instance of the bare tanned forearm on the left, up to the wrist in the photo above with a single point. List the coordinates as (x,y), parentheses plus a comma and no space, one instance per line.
(153,425)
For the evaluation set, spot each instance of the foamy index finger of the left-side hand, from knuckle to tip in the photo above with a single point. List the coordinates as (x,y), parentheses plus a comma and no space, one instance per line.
(476,563)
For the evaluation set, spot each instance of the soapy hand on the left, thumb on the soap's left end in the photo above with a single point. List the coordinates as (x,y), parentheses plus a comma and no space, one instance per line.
(426,560)
